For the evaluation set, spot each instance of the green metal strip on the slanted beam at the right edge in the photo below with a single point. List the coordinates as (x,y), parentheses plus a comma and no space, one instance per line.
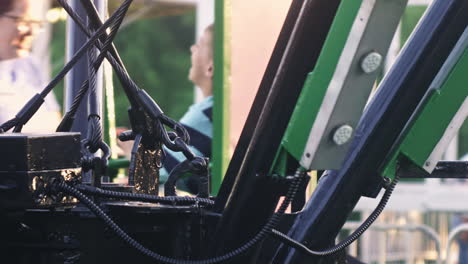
(432,119)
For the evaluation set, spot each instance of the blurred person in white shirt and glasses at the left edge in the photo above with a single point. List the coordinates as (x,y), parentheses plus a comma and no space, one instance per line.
(20,76)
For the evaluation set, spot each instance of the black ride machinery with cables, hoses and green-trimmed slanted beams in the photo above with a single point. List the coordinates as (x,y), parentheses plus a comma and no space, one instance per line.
(311,112)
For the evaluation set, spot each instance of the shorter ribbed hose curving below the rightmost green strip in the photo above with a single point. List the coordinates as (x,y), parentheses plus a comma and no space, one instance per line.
(353,237)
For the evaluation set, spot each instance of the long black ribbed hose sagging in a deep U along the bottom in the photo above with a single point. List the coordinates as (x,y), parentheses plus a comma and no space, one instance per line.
(272,222)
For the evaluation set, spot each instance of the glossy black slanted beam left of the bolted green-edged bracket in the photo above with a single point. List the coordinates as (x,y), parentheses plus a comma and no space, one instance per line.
(244,200)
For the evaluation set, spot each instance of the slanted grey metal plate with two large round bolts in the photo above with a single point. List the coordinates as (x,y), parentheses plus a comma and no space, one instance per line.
(351,84)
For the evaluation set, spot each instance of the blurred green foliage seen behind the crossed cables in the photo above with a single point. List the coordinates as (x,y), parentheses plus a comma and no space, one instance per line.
(156,53)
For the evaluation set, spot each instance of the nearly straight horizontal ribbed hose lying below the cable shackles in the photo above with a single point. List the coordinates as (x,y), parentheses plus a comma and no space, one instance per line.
(143,197)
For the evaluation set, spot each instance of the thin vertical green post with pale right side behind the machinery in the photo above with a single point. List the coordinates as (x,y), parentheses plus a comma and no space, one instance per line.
(220,146)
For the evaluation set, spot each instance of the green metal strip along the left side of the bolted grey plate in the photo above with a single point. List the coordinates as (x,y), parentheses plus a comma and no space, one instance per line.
(315,87)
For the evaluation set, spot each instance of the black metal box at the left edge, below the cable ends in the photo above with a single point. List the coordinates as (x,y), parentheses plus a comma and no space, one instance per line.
(29,163)
